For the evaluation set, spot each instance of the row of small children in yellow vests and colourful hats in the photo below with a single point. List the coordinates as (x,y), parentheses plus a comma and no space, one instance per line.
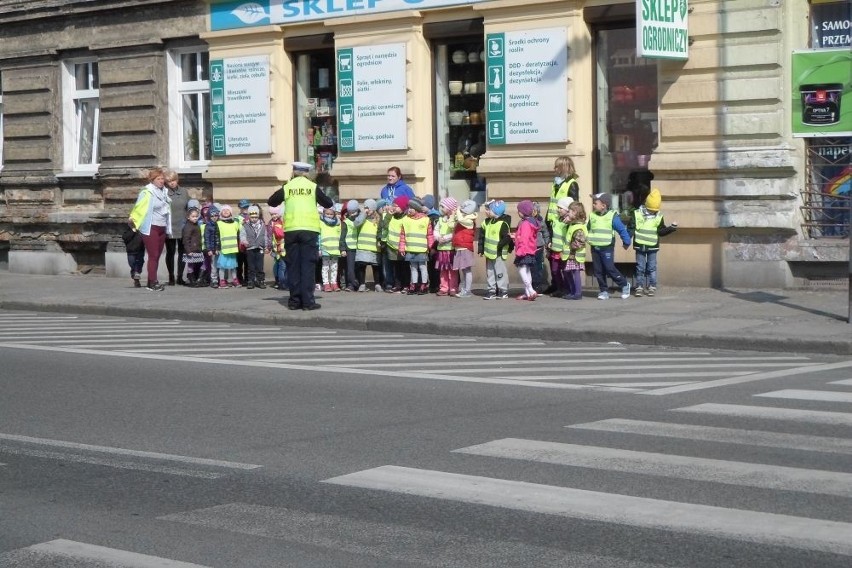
(415,248)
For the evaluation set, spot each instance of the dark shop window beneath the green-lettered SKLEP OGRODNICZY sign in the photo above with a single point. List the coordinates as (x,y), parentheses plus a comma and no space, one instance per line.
(627,126)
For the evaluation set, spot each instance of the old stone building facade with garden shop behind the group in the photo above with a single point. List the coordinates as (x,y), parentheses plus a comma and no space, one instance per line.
(468,98)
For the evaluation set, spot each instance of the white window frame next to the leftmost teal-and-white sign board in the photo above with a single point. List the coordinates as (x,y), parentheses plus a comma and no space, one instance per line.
(177,88)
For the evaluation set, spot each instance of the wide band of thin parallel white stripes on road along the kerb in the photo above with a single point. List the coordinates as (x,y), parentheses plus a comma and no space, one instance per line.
(532,364)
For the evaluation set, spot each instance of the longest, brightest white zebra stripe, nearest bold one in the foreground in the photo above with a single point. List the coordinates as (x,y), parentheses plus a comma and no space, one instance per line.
(701,520)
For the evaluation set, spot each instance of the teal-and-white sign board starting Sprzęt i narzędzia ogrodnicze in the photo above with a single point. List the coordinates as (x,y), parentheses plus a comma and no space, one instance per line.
(371,98)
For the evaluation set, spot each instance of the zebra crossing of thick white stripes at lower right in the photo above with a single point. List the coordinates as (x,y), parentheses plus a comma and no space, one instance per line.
(766,522)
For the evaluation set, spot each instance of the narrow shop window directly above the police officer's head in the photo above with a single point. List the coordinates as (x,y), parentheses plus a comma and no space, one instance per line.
(316,104)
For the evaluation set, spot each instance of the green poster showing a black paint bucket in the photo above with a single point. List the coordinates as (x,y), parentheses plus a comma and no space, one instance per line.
(822,93)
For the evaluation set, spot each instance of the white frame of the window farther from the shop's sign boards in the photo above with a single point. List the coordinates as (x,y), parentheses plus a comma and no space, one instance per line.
(72,117)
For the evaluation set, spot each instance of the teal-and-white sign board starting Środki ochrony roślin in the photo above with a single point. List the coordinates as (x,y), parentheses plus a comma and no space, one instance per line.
(527,86)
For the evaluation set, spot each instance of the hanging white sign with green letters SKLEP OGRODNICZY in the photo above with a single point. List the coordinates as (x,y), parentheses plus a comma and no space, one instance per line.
(662,31)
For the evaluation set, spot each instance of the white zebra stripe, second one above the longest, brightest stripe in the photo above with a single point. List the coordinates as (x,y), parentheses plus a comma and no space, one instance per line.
(721,435)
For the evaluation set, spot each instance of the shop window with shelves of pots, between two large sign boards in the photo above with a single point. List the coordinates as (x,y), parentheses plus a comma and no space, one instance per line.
(460,116)
